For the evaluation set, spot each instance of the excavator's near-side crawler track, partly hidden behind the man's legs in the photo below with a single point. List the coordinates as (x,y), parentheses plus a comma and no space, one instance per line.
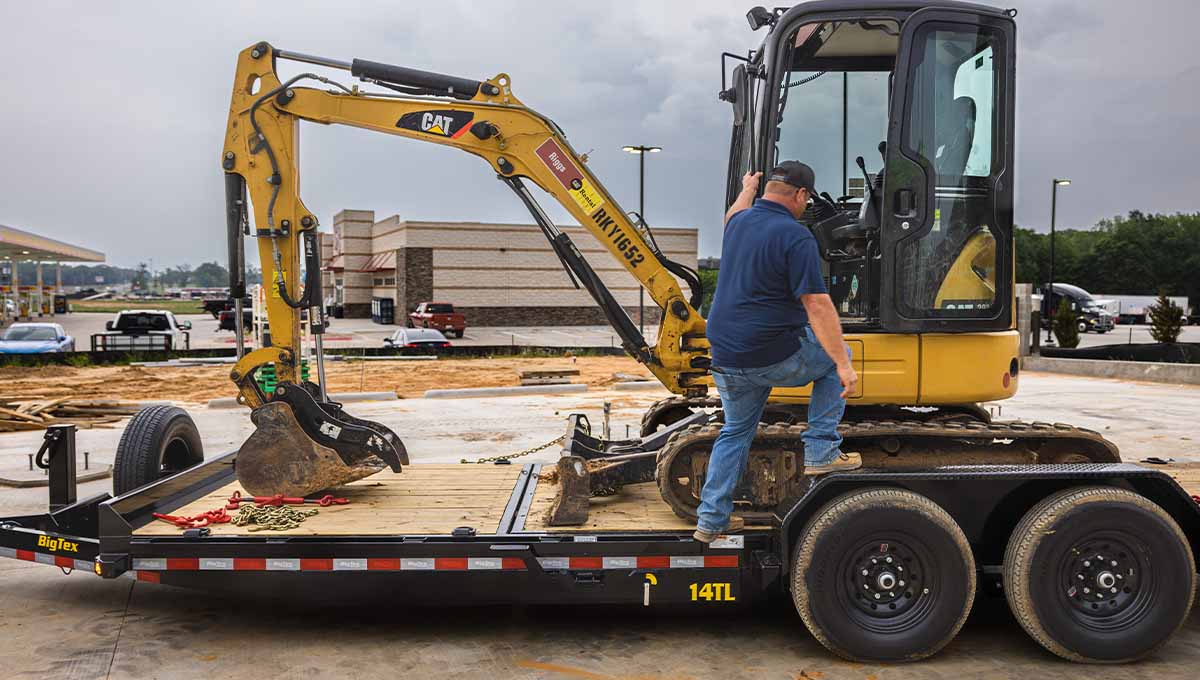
(776,471)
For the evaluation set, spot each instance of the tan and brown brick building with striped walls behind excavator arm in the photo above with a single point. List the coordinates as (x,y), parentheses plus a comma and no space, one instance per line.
(499,275)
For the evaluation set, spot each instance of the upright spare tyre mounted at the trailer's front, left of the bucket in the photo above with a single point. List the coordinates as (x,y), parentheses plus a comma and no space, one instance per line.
(160,441)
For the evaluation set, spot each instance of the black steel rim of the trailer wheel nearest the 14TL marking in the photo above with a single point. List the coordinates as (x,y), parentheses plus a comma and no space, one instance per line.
(890,583)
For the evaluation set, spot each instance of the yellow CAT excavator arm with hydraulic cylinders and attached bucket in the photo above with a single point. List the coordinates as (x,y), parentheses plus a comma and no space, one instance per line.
(483,118)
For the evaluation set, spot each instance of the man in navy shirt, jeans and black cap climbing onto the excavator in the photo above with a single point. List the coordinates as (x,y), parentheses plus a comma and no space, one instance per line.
(772,326)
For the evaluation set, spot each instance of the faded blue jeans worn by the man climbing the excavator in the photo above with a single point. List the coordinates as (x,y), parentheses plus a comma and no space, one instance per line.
(745,394)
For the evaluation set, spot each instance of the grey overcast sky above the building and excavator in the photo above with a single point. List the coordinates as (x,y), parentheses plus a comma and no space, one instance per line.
(113,117)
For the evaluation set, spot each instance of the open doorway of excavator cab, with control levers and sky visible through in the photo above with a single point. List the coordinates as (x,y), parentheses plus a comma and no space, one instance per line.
(831,111)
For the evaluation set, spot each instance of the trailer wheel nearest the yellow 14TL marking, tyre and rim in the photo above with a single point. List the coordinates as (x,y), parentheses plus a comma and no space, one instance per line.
(884,575)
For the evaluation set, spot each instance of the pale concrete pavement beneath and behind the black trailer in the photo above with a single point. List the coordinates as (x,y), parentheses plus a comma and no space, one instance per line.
(81,627)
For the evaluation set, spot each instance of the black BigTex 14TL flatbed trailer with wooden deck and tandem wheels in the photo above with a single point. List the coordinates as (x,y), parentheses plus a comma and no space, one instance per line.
(1096,561)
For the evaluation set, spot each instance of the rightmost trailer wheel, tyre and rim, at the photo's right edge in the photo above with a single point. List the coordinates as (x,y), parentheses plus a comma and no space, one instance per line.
(1100,575)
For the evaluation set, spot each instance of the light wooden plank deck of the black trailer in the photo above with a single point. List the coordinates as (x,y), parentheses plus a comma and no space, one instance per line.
(434,500)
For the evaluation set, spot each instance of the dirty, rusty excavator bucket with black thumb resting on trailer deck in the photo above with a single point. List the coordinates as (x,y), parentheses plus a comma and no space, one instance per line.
(302,447)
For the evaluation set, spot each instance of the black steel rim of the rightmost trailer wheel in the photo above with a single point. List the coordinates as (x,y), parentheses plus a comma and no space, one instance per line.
(1106,583)
